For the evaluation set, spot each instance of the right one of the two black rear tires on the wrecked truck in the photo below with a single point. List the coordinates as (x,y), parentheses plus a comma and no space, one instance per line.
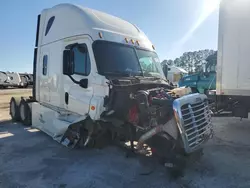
(25,112)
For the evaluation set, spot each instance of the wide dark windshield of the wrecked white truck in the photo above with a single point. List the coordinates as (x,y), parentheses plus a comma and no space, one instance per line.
(123,60)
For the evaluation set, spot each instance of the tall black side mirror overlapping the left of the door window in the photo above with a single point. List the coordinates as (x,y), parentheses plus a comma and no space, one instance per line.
(68,62)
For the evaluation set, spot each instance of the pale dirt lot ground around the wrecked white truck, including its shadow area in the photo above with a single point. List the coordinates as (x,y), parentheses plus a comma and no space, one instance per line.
(29,158)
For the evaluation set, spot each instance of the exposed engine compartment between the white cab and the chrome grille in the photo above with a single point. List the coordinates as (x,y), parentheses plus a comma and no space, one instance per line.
(143,105)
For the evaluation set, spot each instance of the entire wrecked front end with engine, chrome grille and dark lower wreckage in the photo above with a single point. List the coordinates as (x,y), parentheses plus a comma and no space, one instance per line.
(156,120)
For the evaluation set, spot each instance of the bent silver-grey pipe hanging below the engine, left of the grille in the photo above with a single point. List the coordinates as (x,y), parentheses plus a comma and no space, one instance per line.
(147,136)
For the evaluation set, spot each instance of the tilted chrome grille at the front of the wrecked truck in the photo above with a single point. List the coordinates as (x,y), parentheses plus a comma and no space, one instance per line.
(195,120)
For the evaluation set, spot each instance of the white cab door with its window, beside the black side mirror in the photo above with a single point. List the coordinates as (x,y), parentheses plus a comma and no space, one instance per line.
(76,98)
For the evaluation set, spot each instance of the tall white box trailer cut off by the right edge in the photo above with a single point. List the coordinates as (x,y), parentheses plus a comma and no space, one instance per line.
(233,63)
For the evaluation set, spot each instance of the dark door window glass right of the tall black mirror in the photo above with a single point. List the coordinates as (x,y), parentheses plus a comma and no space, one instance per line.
(81,60)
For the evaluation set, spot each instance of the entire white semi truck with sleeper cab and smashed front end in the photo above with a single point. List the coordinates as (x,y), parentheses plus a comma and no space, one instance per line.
(98,78)
